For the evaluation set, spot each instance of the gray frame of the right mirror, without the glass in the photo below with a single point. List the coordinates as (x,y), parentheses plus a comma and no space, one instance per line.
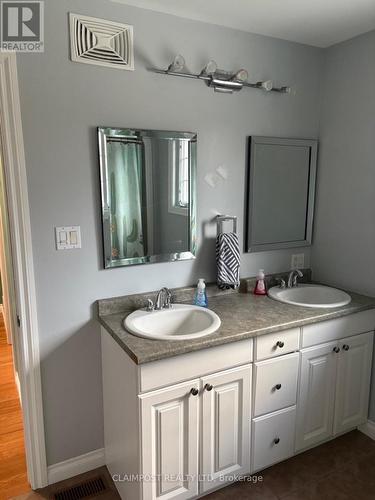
(313,145)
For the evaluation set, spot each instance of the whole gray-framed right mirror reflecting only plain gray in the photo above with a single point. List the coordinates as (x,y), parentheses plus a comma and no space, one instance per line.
(281,192)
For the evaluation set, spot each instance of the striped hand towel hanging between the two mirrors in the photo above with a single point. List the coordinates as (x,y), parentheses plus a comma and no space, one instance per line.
(228,260)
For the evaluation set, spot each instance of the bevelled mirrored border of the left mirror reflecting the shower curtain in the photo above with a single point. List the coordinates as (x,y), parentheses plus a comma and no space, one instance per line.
(103,133)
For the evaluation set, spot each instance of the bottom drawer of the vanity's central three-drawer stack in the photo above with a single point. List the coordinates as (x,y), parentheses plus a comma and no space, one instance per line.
(273,438)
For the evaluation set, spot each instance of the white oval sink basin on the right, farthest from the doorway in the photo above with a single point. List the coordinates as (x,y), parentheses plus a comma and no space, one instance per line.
(310,296)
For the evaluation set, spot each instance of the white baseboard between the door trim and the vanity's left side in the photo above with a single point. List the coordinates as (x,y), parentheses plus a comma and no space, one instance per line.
(74,466)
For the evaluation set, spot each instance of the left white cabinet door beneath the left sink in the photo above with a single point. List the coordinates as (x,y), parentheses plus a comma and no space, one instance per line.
(170,428)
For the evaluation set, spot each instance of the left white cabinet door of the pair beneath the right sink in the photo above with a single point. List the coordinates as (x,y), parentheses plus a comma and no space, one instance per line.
(315,405)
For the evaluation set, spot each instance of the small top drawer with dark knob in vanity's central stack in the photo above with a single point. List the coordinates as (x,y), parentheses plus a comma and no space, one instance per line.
(276,344)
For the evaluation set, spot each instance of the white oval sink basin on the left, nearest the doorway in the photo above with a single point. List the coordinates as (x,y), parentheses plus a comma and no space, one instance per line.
(180,322)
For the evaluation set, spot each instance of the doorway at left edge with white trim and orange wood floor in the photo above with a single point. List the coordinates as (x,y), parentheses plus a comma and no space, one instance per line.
(22,443)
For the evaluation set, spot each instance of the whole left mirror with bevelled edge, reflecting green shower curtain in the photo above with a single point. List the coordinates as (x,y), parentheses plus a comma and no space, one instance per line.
(148,195)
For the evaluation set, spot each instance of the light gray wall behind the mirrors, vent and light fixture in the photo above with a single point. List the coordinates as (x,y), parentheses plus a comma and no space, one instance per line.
(62,103)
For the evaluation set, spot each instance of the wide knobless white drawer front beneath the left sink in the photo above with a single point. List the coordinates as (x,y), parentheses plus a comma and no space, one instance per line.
(194,364)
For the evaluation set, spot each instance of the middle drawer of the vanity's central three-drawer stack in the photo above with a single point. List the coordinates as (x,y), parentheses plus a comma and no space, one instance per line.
(275,383)
